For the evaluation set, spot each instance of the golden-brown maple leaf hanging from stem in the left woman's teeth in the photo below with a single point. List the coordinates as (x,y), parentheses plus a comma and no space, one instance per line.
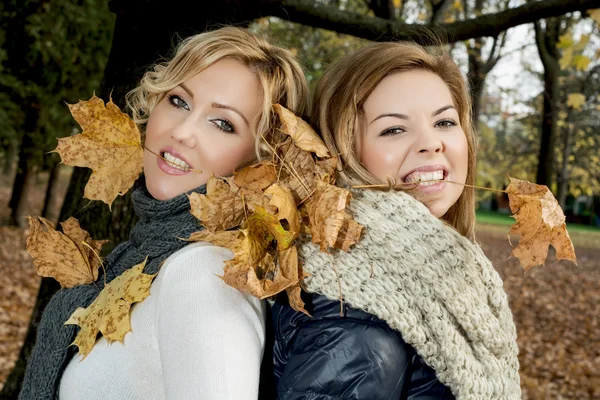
(110,145)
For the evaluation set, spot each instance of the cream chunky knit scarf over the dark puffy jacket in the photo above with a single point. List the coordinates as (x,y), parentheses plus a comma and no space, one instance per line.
(432,285)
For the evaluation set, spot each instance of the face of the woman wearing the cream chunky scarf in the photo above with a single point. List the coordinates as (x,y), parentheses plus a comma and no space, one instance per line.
(411,132)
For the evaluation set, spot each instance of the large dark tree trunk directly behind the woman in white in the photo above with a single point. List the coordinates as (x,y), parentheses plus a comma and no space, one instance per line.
(153,34)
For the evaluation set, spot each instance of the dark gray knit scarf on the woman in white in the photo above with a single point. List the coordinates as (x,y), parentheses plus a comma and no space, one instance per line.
(155,236)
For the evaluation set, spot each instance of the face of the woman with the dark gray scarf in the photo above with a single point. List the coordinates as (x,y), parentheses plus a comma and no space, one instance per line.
(207,124)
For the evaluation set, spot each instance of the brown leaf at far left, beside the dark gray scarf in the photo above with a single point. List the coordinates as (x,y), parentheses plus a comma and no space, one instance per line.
(63,256)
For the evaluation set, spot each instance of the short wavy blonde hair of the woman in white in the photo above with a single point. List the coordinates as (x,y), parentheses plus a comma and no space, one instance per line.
(280,76)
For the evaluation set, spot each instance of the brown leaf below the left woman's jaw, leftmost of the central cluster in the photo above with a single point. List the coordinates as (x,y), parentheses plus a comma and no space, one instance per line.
(220,208)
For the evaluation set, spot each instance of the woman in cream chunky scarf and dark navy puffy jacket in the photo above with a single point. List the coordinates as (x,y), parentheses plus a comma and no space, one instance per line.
(423,312)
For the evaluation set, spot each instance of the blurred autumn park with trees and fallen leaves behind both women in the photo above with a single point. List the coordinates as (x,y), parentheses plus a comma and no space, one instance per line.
(533,68)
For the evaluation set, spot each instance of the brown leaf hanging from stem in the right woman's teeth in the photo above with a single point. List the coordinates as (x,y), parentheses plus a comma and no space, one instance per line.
(540,222)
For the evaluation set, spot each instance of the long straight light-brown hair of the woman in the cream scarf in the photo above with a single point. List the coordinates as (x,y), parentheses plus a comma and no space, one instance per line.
(342,91)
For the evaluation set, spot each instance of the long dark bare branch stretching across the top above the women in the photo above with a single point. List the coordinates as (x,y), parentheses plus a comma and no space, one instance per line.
(308,12)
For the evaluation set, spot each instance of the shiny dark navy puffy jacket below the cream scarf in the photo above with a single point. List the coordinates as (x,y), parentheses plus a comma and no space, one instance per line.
(353,356)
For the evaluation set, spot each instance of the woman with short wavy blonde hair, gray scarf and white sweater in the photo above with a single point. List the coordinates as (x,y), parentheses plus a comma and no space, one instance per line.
(205,112)
